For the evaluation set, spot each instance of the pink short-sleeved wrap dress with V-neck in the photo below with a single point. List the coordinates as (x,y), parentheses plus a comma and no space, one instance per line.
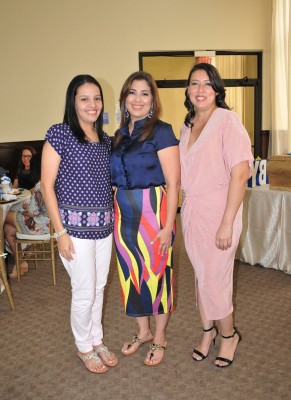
(205,177)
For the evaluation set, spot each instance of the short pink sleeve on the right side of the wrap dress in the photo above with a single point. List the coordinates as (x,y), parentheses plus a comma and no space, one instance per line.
(236,143)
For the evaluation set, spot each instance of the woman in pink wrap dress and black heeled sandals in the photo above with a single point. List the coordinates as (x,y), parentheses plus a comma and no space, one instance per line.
(216,162)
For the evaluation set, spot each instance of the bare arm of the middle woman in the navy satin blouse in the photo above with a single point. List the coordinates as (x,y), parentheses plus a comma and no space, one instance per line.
(170,163)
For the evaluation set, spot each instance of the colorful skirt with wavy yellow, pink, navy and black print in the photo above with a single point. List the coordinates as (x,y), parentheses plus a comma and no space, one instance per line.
(146,277)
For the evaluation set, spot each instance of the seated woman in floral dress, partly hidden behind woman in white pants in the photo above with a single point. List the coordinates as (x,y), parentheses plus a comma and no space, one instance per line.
(32,220)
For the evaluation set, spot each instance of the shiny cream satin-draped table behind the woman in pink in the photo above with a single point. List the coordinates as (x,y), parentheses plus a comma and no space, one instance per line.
(266,233)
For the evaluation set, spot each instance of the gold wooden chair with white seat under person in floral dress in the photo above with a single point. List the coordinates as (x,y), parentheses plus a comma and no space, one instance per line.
(41,248)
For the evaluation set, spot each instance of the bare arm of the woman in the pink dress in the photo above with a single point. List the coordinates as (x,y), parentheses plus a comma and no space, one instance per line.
(236,191)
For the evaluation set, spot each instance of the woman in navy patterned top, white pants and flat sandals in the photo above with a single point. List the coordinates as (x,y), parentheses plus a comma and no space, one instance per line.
(77,190)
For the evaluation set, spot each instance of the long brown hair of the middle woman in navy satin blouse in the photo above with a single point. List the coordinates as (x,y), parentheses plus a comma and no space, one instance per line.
(156,106)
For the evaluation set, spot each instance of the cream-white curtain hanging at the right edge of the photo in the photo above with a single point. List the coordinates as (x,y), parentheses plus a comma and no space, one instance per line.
(280,141)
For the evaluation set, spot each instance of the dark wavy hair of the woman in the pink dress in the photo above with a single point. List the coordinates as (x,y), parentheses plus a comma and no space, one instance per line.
(217,85)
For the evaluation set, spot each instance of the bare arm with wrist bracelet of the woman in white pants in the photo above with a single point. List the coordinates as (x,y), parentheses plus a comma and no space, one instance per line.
(49,170)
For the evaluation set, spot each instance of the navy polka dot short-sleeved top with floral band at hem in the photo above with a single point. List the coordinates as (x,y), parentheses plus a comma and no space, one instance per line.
(83,184)
